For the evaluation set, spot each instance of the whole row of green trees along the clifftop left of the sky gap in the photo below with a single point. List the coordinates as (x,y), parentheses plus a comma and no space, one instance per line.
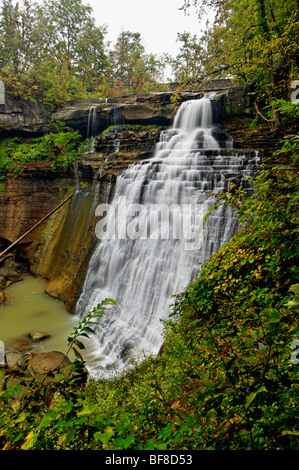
(53,52)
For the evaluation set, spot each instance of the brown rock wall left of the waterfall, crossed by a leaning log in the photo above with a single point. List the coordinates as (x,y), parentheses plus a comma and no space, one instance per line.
(56,250)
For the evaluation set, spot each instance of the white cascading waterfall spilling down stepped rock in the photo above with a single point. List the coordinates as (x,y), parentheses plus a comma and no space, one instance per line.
(152,238)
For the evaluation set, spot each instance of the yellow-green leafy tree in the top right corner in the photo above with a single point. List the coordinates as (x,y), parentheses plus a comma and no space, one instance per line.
(254,41)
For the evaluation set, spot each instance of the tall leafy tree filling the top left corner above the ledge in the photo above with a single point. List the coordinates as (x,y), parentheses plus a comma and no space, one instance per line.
(50,52)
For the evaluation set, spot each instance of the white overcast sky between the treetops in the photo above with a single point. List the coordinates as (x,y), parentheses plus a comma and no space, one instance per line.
(158,21)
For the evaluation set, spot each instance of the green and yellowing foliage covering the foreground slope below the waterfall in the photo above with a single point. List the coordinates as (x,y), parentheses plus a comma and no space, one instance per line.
(227,376)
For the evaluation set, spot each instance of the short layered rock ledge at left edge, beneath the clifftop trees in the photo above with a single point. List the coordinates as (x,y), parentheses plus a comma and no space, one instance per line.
(23,118)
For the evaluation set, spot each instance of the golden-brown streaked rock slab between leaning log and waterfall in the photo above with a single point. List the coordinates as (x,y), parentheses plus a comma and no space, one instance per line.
(62,252)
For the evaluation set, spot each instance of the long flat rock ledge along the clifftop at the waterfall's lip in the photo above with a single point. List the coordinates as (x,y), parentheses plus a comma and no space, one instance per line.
(27,118)
